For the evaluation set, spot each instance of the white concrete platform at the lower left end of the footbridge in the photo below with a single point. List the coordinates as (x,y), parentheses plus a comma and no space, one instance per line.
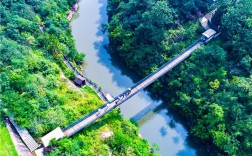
(55,134)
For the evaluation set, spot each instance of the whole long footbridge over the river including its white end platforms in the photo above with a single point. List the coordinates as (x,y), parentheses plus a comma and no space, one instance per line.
(121,98)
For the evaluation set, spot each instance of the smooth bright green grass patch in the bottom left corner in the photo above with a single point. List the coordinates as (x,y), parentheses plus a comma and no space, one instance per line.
(6,145)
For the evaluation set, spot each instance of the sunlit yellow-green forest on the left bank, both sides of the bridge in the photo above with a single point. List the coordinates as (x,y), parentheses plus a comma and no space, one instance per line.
(34,37)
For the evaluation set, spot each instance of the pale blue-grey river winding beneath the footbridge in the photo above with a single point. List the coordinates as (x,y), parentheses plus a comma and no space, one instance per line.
(156,123)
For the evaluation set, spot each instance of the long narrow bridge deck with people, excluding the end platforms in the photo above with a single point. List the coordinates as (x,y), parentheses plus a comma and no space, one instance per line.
(99,112)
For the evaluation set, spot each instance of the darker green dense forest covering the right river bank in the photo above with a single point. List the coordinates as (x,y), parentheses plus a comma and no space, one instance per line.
(212,89)
